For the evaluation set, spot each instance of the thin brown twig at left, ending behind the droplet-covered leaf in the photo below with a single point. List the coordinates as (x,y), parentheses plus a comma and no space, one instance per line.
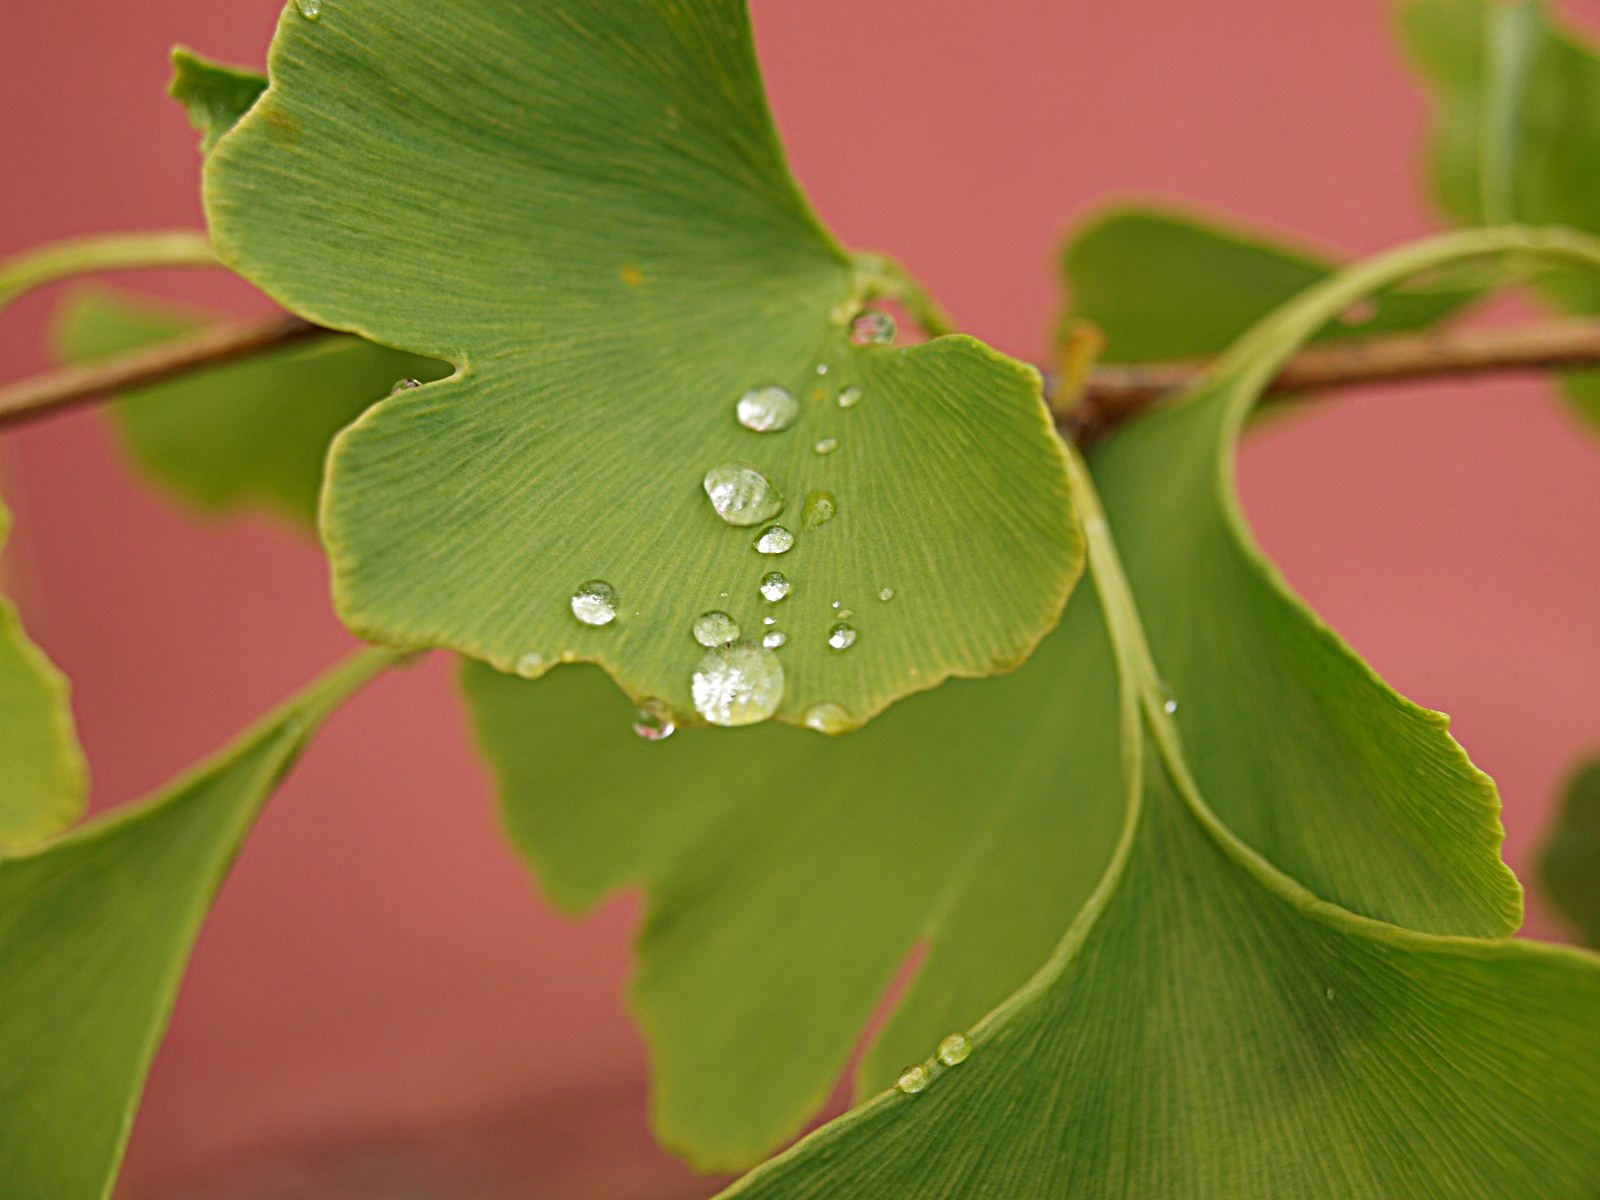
(55,391)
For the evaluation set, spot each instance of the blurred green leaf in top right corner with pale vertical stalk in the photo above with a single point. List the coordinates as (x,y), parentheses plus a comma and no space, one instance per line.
(1540,130)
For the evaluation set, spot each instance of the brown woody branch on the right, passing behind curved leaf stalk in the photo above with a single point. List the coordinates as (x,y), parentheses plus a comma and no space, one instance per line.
(1113,394)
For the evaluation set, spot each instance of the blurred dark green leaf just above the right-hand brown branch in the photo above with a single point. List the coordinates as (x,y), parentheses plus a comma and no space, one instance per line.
(1161,284)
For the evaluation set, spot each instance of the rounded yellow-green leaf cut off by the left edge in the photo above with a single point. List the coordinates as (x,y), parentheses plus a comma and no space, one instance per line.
(42,774)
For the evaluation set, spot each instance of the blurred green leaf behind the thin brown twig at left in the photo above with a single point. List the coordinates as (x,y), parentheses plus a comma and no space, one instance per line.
(252,433)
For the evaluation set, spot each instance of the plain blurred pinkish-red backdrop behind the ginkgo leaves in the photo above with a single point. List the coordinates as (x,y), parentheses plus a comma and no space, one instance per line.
(378,964)
